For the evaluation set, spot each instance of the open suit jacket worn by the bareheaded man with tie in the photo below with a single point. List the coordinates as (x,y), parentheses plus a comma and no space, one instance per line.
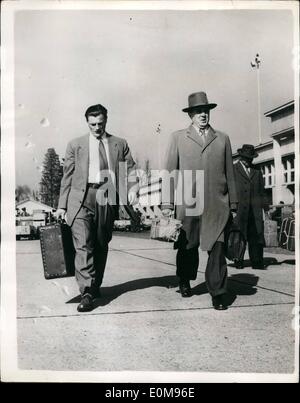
(76,167)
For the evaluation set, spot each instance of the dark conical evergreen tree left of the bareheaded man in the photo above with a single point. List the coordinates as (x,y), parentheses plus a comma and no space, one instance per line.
(51,178)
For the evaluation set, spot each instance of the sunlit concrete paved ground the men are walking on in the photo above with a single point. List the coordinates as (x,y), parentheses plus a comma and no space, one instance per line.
(143,324)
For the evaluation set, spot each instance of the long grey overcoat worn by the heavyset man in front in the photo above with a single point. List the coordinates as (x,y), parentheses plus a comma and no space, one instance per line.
(187,152)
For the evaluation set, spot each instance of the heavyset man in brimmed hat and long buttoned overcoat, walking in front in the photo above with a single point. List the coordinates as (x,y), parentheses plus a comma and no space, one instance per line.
(200,147)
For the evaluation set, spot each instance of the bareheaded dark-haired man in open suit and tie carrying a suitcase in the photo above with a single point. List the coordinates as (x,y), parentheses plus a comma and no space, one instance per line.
(89,198)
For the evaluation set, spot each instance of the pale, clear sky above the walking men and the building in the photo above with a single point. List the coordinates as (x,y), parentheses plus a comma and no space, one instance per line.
(142,65)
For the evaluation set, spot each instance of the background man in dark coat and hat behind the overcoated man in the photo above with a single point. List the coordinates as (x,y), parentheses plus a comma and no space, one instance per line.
(250,187)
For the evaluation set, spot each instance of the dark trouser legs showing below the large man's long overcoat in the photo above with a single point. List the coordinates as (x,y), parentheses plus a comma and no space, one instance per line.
(187,261)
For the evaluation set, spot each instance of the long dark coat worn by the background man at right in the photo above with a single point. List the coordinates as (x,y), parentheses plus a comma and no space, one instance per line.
(251,195)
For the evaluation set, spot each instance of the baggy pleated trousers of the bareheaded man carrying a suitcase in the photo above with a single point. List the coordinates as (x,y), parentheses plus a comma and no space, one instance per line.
(92,232)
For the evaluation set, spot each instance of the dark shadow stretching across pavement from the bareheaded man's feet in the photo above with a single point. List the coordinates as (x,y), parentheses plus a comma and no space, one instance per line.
(111,293)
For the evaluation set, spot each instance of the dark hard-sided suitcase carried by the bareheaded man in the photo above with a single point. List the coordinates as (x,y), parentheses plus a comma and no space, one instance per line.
(57,250)
